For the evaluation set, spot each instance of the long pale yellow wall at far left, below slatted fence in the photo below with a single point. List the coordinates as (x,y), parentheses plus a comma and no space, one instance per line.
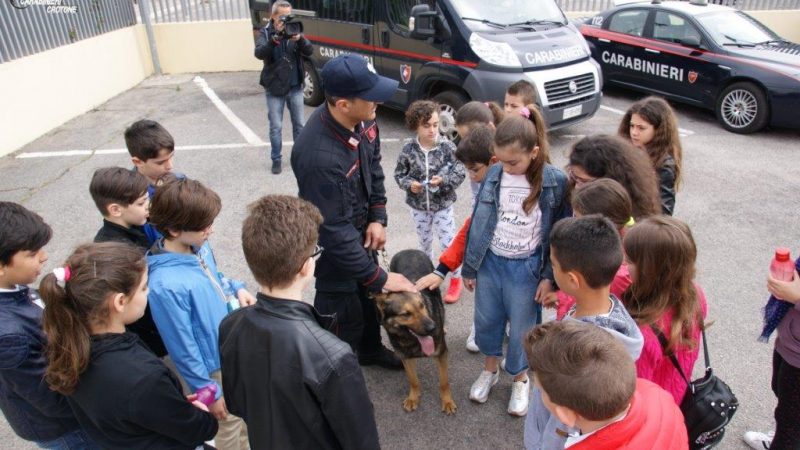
(42,91)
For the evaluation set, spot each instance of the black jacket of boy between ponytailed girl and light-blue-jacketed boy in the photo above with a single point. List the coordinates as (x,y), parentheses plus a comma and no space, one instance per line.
(145,327)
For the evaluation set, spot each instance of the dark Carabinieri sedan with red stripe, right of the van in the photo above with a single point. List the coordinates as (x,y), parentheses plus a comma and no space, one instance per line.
(706,55)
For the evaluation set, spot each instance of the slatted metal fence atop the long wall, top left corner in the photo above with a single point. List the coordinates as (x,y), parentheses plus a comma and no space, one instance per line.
(32,29)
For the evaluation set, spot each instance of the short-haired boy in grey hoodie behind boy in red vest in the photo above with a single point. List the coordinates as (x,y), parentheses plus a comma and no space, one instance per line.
(585,253)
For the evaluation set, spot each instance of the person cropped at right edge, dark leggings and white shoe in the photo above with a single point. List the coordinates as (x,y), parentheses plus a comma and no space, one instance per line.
(785,372)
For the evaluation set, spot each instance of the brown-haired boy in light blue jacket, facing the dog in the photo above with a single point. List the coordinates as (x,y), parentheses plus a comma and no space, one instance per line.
(189,297)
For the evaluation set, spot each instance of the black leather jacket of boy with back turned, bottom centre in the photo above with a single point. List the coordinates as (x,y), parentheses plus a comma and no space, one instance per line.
(295,384)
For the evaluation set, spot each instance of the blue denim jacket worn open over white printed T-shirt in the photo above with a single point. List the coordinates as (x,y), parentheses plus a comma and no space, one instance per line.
(552,203)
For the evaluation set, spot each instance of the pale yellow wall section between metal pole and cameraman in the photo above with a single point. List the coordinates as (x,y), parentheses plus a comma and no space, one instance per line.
(218,46)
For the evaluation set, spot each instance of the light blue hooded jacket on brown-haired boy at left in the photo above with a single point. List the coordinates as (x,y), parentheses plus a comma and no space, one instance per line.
(188,299)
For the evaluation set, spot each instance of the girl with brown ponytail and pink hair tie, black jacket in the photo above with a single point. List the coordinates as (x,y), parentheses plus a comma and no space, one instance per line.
(123,396)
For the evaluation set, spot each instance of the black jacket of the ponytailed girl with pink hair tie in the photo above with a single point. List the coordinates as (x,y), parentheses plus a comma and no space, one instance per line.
(128,399)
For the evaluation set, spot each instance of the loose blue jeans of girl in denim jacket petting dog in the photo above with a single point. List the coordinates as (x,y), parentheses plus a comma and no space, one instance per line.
(504,292)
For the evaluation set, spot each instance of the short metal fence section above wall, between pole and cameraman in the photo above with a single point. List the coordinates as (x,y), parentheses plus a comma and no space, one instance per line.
(162,11)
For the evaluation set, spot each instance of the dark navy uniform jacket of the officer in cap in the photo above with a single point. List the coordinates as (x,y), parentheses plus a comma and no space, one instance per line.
(346,184)
